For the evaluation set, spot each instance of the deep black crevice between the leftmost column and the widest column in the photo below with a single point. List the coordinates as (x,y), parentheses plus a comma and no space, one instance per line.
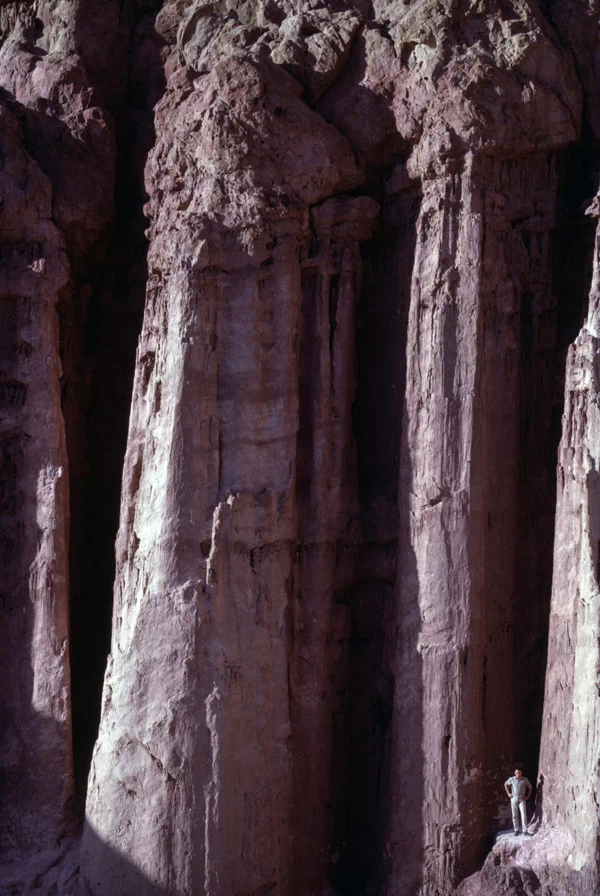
(106,306)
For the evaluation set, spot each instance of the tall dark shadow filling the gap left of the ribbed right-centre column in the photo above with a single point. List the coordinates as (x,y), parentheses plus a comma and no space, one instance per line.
(385,622)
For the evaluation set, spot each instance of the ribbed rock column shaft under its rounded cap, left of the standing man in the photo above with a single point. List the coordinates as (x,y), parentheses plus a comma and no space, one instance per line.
(482,253)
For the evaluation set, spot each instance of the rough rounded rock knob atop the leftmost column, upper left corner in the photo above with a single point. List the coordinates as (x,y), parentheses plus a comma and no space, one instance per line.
(47,86)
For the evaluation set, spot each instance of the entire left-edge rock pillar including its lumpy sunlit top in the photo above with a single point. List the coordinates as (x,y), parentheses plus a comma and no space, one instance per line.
(51,223)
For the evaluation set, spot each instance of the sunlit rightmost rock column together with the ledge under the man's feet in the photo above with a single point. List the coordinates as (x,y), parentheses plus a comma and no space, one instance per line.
(562,857)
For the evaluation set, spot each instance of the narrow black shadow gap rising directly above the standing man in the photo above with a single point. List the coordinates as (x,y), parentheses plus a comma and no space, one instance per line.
(542,402)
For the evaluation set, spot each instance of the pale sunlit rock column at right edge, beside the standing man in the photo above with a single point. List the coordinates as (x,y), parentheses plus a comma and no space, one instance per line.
(571,730)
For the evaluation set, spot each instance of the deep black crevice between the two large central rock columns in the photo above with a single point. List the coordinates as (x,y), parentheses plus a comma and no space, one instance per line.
(364,731)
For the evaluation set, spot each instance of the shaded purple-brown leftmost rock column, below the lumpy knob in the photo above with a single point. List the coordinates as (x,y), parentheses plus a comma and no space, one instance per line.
(35,732)
